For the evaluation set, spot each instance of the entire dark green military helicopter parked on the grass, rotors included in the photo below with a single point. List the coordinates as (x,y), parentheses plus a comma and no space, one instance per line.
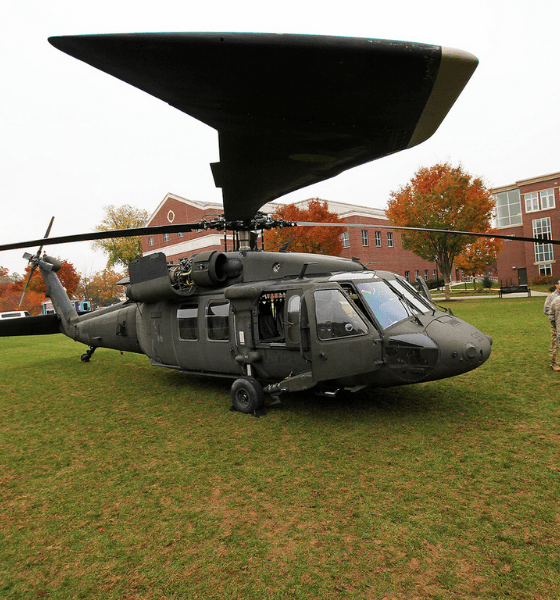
(290,110)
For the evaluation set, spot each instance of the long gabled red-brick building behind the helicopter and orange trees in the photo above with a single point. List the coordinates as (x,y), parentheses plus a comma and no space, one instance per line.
(380,248)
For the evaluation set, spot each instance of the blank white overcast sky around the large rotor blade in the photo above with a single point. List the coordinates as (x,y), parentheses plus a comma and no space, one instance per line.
(75,139)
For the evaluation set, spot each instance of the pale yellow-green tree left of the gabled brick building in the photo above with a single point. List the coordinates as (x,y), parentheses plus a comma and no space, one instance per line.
(121,251)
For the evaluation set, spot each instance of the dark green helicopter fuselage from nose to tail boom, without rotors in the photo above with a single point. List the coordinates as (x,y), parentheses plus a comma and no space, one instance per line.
(349,328)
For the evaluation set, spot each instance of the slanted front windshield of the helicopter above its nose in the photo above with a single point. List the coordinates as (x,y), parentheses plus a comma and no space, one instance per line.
(390,302)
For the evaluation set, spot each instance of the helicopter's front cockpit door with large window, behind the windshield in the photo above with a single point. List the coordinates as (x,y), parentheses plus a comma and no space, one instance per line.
(336,337)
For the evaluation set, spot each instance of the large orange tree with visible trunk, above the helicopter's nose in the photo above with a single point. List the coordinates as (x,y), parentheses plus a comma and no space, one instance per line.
(441,197)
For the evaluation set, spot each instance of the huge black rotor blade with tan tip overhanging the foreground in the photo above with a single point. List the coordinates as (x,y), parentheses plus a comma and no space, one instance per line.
(290,110)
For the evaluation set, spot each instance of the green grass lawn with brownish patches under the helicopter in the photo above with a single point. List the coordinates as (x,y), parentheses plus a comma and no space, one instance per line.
(119,480)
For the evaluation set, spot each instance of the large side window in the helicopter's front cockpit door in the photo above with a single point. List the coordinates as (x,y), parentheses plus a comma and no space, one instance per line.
(336,317)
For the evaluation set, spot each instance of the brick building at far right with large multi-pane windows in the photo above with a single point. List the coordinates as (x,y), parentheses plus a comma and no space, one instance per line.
(529,208)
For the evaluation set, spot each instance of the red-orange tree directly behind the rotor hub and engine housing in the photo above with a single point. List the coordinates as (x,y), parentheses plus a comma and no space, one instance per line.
(317,240)
